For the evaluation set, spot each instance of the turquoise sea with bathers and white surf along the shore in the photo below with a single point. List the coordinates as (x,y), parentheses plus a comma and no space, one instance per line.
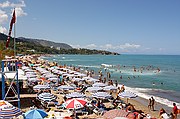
(145,75)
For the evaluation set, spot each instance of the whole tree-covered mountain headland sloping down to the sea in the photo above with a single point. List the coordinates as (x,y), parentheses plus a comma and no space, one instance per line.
(37,46)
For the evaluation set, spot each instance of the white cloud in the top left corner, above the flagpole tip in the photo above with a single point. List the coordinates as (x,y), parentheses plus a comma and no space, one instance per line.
(13,5)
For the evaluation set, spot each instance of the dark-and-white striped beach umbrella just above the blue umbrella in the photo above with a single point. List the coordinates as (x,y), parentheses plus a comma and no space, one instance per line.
(46,97)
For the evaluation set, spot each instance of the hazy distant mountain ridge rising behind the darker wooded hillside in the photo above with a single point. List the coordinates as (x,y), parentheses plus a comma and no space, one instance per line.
(39,42)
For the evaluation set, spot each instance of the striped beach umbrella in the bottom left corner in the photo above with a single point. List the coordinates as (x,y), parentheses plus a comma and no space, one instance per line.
(10,112)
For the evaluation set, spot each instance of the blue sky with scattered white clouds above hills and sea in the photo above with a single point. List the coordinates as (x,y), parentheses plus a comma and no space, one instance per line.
(123,26)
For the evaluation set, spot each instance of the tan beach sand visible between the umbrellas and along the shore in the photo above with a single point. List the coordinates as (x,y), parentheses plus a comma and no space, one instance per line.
(138,102)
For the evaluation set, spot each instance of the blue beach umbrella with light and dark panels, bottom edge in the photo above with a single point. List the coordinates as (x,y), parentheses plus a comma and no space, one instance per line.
(35,114)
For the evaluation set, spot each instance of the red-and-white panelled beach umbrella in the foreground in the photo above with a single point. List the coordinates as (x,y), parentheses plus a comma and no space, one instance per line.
(75,103)
